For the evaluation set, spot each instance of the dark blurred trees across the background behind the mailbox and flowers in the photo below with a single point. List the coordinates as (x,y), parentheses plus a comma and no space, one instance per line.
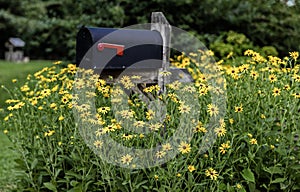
(49,27)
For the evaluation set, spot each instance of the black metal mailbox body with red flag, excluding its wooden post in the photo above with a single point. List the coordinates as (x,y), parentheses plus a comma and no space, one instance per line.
(117,49)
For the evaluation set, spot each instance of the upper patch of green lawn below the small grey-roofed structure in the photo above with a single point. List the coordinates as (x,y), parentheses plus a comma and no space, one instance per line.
(19,71)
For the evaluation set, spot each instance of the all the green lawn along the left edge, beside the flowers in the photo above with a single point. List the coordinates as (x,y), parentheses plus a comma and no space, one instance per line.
(9,71)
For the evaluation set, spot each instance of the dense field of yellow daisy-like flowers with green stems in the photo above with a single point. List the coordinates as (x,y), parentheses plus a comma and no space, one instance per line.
(60,135)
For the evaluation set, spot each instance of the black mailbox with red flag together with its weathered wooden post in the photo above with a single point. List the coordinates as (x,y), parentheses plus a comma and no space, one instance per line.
(144,53)
